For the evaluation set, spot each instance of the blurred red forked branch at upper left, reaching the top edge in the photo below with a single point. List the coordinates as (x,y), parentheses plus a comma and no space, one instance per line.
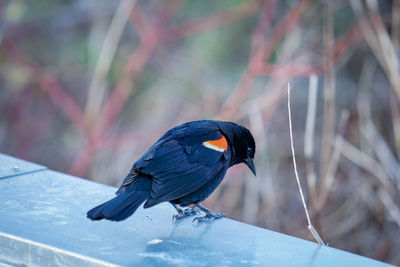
(152,36)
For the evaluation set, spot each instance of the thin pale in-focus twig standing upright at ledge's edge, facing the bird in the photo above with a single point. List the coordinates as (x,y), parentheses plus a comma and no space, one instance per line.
(310,226)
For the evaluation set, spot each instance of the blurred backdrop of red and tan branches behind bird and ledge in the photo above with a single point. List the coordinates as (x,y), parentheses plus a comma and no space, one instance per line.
(87,86)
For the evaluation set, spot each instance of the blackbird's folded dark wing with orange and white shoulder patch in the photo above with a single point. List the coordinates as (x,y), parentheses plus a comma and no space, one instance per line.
(184,162)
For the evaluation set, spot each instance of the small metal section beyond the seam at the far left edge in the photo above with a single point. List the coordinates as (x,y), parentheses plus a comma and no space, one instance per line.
(10,166)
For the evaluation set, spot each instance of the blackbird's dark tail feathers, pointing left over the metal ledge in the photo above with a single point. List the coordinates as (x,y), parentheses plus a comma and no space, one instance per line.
(125,204)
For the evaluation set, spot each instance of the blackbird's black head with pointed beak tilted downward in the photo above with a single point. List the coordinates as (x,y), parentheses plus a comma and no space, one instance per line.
(243,144)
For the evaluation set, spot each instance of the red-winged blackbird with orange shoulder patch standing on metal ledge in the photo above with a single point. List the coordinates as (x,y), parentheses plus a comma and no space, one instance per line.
(183,167)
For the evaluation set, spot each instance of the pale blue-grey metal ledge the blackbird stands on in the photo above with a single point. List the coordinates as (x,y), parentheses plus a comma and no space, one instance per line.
(43,222)
